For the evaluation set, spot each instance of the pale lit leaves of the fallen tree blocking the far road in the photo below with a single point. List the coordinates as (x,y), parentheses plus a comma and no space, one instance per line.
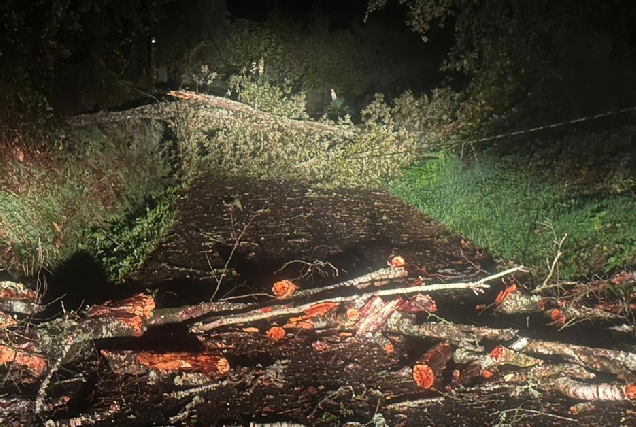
(277,145)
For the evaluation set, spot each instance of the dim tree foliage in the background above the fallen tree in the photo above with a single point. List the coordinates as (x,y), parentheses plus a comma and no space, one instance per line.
(313,58)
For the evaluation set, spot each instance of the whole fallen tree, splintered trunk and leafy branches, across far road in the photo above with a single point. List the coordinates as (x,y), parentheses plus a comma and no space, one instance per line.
(219,136)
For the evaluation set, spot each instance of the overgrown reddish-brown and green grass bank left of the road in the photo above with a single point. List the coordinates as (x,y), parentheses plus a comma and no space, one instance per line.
(85,182)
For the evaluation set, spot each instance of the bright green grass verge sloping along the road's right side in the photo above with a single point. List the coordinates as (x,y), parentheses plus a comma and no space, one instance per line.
(501,206)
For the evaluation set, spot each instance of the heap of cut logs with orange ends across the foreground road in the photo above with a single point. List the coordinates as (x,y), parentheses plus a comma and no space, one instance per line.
(352,350)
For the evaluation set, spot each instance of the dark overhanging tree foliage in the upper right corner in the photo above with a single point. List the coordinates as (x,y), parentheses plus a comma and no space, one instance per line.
(535,61)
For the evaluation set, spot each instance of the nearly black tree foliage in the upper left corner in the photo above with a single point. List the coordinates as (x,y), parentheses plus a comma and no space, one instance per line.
(73,53)
